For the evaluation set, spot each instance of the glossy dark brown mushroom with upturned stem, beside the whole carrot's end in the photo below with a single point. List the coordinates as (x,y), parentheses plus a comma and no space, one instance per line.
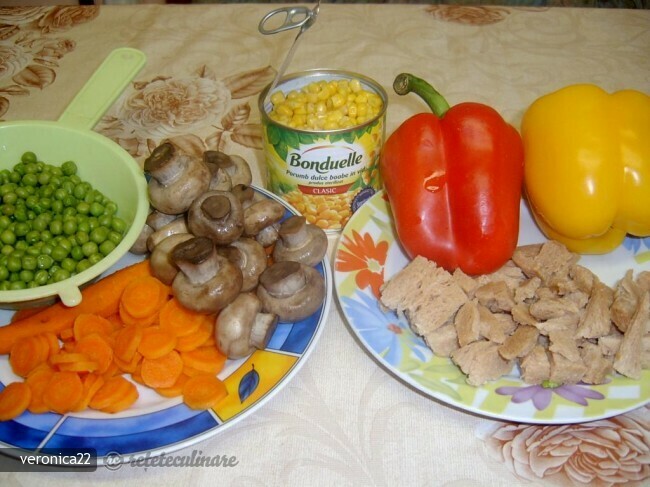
(207,282)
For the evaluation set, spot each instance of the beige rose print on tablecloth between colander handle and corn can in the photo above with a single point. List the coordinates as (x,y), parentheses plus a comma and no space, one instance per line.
(197,112)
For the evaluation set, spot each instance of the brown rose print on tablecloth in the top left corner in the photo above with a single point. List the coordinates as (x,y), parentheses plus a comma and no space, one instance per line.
(30,62)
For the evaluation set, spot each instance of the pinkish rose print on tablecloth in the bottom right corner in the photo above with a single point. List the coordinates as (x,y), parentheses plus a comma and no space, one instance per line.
(609,452)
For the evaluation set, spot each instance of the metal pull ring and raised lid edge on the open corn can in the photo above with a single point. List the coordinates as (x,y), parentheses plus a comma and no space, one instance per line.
(290,18)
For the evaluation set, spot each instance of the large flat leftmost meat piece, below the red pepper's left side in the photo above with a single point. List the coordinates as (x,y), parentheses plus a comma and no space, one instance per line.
(426,293)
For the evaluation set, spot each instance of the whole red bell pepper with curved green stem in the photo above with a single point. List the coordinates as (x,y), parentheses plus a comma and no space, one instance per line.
(454,179)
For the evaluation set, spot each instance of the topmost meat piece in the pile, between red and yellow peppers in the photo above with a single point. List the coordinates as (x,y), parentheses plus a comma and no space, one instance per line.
(553,261)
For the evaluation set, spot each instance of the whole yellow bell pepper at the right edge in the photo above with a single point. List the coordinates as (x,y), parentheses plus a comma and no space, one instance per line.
(587,166)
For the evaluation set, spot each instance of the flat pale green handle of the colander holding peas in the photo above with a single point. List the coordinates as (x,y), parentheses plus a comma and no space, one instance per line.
(104,87)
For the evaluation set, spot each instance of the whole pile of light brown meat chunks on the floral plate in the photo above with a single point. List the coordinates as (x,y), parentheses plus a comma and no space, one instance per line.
(542,312)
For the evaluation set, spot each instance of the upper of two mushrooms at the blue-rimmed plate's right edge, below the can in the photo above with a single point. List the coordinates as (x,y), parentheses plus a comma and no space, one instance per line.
(300,241)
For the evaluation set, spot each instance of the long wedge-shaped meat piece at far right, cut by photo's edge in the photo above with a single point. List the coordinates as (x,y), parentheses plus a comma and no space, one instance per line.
(627,360)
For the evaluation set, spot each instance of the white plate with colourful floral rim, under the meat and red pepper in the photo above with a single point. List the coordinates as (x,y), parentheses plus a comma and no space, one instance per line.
(368,254)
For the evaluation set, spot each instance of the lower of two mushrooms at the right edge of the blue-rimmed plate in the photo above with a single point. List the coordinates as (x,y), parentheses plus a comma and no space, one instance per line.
(291,290)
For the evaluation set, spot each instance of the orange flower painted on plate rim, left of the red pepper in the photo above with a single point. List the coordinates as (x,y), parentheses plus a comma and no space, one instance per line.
(365,257)
